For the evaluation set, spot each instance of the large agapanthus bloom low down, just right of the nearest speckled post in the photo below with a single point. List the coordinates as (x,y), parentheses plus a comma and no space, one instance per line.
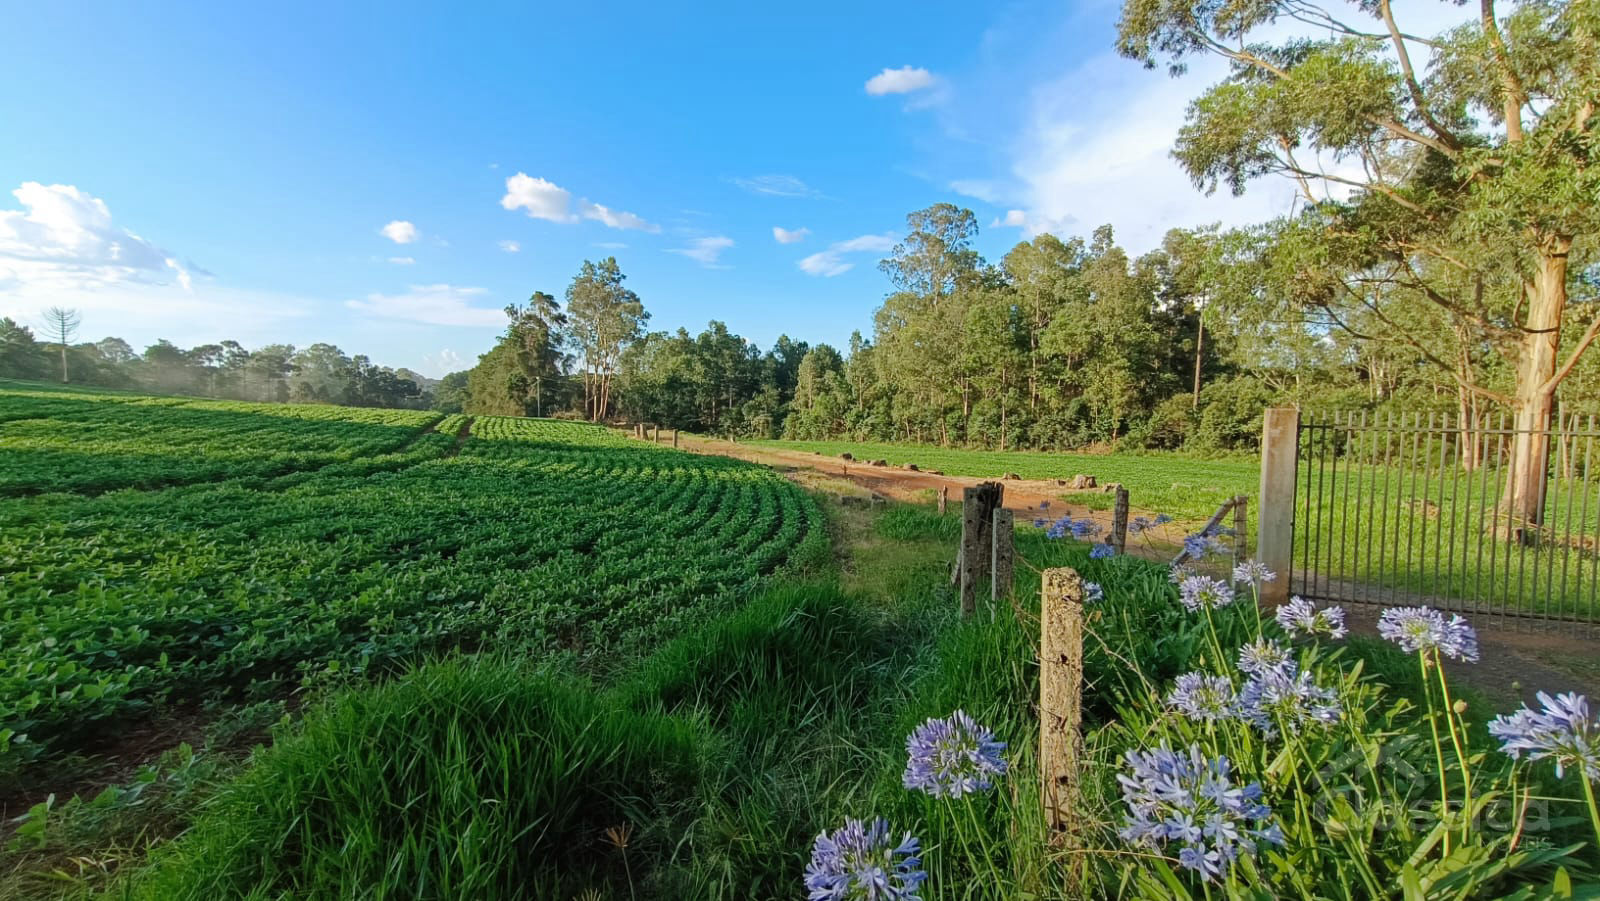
(1188,801)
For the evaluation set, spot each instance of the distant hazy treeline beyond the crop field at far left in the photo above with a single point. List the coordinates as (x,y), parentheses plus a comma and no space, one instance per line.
(278,374)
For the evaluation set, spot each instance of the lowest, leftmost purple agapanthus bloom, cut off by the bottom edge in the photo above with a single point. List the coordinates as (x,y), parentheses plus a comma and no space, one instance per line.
(862,863)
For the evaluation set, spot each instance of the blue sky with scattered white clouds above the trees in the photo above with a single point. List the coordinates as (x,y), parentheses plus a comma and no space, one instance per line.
(207,172)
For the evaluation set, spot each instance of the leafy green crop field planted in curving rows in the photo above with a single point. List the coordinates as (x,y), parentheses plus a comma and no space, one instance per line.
(169,551)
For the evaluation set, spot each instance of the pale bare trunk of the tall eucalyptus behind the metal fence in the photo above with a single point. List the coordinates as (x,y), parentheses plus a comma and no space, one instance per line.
(1535,399)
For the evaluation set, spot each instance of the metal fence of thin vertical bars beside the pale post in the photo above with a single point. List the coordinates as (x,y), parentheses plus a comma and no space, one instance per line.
(1415,510)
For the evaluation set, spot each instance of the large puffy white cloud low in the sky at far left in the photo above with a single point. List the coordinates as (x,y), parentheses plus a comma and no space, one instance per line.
(65,239)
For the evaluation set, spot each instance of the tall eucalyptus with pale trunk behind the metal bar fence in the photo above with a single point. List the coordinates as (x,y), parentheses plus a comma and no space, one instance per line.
(1465,153)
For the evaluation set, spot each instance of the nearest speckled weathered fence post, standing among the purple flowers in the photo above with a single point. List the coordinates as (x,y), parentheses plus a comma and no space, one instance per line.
(1060,695)
